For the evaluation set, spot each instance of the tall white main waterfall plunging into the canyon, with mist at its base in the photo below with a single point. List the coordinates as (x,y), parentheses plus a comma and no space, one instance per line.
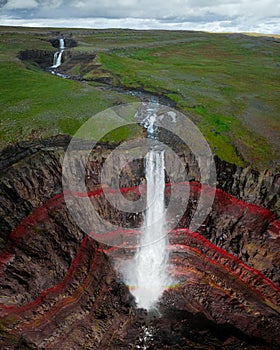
(146,275)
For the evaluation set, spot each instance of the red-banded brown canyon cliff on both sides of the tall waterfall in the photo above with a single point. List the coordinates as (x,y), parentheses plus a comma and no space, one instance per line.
(59,288)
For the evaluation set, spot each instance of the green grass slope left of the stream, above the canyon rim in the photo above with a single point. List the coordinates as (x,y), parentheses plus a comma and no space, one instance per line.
(36,104)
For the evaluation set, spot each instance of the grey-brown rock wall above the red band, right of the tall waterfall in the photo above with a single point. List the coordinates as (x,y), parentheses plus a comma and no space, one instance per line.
(257,187)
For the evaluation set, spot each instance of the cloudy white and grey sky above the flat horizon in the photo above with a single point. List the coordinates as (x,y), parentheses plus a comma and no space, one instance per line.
(260,16)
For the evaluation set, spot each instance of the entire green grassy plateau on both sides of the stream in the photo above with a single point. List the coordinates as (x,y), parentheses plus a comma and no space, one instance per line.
(227,84)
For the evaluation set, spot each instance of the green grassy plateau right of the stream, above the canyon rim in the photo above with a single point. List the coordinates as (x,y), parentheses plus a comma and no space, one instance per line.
(214,79)
